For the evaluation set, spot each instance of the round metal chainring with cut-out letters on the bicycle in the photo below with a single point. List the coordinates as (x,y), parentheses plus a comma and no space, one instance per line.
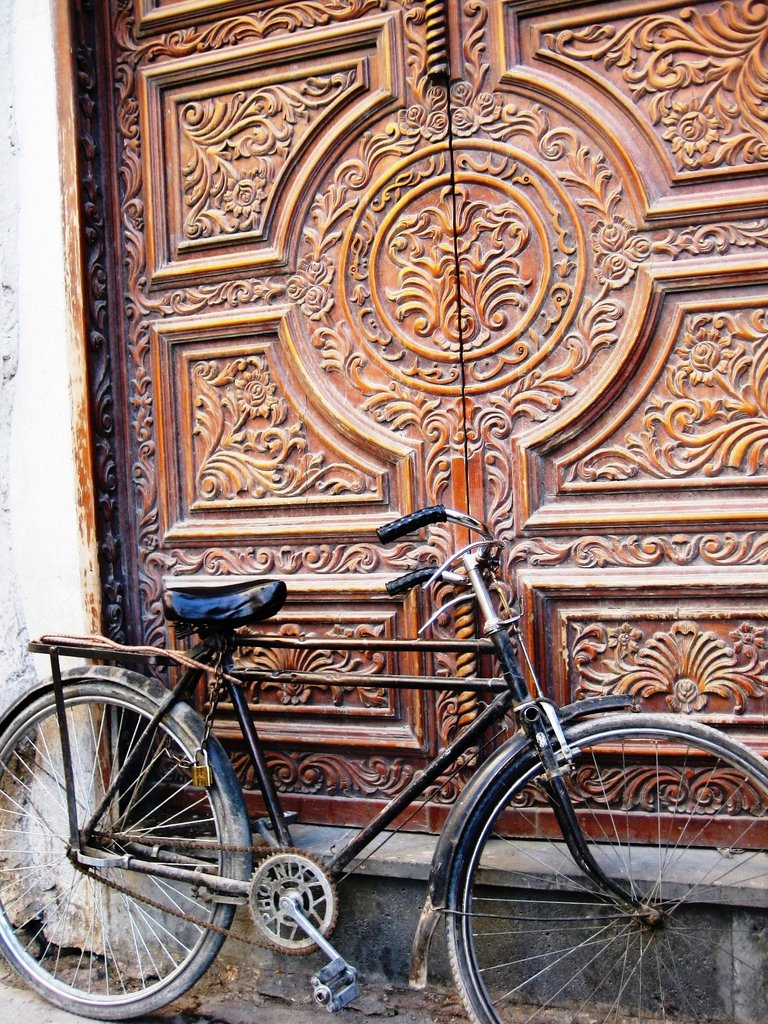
(291,873)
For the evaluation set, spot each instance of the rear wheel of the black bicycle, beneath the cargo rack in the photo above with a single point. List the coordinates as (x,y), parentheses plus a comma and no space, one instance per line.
(84,945)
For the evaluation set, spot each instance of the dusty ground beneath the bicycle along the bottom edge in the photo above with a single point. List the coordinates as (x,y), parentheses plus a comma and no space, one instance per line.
(230,997)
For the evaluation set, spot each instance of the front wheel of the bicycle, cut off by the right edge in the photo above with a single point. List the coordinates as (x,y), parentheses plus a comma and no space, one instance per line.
(533,940)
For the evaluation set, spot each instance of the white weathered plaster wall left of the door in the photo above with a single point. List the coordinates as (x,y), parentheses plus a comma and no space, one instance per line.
(41,585)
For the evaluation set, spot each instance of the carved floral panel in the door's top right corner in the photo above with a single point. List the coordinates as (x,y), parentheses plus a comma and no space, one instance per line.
(701,75)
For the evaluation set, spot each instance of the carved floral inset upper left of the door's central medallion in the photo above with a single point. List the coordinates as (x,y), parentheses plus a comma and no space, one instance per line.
(234,148)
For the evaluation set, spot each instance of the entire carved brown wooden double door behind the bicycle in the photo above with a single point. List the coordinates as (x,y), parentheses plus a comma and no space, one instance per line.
(340,291)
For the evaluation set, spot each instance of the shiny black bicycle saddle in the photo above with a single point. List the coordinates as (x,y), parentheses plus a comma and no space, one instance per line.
(232,605)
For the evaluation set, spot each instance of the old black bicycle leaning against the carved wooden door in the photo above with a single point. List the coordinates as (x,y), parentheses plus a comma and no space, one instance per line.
(573,874)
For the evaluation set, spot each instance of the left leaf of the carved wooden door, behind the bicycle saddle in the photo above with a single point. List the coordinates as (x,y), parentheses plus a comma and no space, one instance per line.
(275,388)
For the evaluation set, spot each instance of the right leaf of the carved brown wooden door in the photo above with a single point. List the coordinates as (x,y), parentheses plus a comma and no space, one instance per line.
(619,412)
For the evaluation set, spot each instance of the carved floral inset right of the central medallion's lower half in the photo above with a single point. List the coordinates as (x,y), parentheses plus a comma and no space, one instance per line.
(710,415)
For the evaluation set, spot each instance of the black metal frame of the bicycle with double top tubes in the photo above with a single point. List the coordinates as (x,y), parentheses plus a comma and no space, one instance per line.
(537,717)
